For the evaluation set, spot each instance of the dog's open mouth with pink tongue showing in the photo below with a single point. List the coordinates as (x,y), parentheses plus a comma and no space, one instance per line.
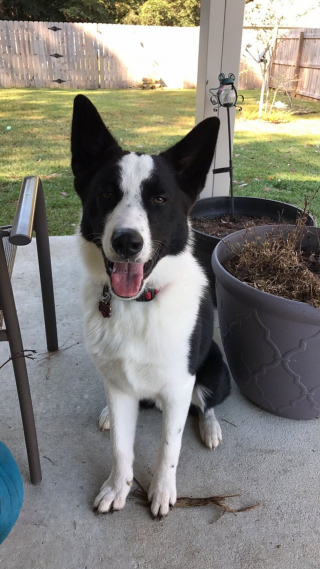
(127,278)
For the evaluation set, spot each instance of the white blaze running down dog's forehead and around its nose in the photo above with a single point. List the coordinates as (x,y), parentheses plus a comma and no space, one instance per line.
(130,213)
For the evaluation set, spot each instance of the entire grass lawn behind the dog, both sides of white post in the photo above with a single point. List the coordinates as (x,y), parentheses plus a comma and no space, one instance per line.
(276,160)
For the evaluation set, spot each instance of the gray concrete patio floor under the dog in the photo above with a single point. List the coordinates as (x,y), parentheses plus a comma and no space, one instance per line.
(264,458)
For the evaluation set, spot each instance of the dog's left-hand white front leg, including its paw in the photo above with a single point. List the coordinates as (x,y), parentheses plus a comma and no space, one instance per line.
(123,417)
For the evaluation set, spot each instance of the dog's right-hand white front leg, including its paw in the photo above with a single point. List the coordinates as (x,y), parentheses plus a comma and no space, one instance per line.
(175,406)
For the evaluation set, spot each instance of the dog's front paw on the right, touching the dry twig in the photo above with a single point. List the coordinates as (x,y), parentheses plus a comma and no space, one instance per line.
(162,494)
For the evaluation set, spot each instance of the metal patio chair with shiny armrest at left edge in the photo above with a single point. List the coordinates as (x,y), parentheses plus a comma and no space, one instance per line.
(30,216)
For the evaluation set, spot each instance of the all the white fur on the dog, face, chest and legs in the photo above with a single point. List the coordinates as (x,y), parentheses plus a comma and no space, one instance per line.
(142,352)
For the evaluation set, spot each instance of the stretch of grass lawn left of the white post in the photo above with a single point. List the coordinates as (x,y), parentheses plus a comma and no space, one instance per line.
(39,142)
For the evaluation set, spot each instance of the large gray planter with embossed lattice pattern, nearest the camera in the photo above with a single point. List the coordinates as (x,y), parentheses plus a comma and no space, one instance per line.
(272,344)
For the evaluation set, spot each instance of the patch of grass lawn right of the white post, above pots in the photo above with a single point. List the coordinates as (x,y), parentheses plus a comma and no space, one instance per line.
(278,160)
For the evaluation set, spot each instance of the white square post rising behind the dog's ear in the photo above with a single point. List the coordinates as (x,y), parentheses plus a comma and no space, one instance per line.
(221,23)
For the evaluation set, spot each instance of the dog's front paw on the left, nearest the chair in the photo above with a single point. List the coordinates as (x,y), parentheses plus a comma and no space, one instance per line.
(112,496)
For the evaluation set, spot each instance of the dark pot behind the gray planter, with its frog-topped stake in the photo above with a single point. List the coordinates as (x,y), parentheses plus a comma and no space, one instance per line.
(236,212)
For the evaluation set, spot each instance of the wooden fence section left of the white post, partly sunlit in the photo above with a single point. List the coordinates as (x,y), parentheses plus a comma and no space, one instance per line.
(92,56)
